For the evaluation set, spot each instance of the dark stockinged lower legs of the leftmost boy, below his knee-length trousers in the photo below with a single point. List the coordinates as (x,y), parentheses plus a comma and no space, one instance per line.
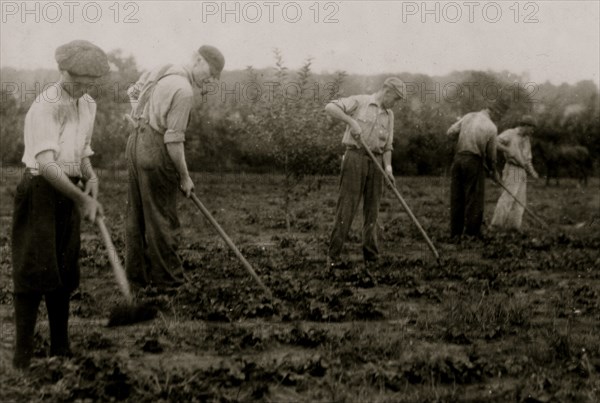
(26,308)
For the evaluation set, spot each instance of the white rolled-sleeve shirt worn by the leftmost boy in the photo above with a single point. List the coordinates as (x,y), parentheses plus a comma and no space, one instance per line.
(58,122)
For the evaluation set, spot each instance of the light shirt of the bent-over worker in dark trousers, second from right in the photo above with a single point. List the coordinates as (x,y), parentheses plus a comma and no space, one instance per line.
(476,135)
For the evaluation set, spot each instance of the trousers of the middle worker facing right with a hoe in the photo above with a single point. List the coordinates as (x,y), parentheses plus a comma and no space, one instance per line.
(360,178)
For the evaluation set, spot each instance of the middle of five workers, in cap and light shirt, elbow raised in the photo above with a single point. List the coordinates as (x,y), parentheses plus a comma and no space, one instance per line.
(369,117)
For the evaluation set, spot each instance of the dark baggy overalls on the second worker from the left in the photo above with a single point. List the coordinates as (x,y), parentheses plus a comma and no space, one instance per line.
(152,224)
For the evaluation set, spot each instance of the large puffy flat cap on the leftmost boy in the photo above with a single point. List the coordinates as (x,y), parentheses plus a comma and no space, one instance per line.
(82,58)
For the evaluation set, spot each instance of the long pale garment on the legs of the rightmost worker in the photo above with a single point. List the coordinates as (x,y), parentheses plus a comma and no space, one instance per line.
(508,213)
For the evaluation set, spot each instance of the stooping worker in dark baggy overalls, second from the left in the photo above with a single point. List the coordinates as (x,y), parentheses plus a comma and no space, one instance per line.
(162,100)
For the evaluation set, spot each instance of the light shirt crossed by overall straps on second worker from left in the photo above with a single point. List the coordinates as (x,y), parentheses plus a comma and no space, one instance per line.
(169,104)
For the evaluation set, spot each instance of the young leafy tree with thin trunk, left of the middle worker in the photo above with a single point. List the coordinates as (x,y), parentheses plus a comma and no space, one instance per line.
(289,125)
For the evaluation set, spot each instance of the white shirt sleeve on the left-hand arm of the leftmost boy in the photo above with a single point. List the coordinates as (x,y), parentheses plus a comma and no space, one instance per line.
(42,129)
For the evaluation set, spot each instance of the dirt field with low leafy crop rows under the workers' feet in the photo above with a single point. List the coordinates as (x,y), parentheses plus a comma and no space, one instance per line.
(515,317)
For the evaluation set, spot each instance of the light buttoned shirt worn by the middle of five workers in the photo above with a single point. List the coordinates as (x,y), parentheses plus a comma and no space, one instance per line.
(376,122)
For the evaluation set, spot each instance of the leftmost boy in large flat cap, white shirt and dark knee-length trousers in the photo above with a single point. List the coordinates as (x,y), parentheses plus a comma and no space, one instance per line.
(48,204)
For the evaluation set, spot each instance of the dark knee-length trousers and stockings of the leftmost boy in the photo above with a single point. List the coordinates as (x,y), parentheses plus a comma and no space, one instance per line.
(45,250)
